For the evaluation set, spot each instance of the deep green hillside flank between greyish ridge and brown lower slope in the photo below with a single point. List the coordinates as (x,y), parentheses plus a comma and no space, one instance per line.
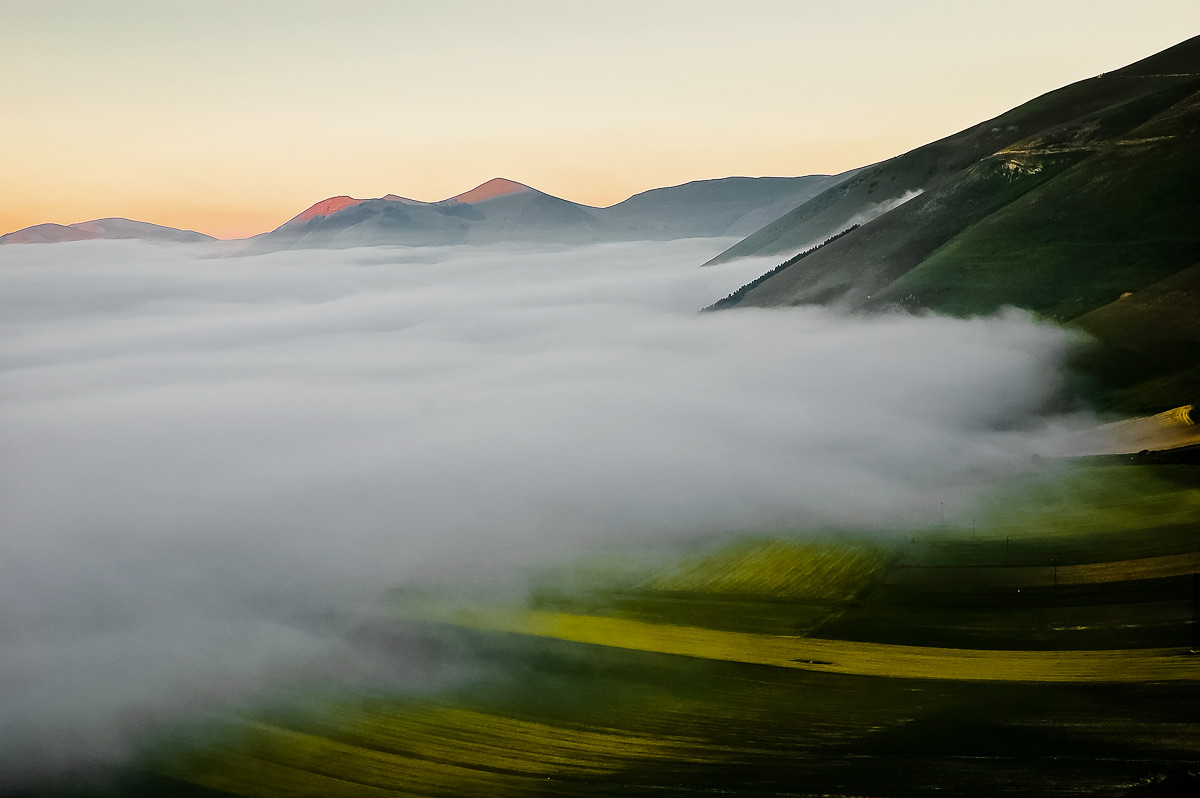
(1119,221)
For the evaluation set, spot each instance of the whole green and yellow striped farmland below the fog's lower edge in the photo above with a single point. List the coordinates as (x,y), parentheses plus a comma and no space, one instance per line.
(1042,650)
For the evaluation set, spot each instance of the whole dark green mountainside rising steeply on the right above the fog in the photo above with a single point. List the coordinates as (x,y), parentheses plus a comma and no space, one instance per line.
(1063,206)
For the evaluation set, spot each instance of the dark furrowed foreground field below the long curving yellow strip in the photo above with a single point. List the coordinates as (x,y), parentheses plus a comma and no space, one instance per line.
(634,724)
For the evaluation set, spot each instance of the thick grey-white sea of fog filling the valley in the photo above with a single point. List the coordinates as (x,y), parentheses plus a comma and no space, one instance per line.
(212,460)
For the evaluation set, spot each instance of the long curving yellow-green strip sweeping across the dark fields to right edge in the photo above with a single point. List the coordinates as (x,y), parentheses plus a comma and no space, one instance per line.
(830,656)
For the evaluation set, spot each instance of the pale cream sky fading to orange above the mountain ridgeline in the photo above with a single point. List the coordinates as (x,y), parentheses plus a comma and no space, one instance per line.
(231,117)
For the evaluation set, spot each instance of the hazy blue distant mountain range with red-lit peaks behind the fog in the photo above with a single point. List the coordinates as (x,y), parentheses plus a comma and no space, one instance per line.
(507,211)
